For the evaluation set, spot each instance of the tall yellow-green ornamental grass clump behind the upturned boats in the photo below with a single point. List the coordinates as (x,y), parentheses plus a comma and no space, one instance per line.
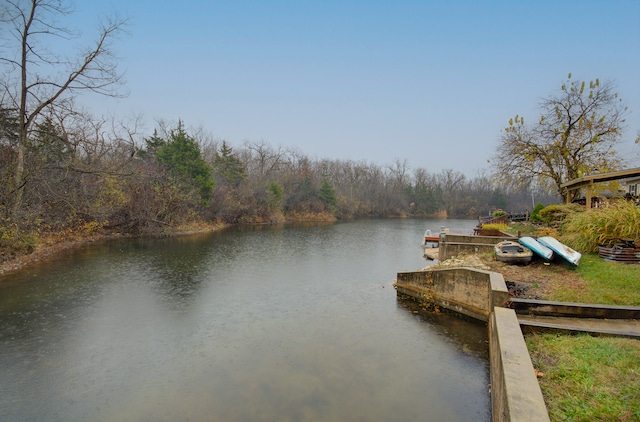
(602,226)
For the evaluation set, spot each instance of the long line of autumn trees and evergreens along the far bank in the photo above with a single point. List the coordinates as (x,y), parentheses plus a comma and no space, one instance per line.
(79,172)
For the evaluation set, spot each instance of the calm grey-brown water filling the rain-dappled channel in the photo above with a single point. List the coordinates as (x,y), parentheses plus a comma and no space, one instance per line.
(299,323)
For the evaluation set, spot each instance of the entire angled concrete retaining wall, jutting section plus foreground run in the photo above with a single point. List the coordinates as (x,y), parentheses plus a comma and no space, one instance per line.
(515,392)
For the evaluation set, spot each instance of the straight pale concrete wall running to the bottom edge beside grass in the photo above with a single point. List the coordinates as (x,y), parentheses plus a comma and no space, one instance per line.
(515,392)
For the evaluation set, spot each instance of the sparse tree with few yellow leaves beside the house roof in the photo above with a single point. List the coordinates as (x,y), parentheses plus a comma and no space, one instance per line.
(576,133)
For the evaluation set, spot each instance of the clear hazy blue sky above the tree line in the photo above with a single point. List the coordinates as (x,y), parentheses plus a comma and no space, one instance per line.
(433,82)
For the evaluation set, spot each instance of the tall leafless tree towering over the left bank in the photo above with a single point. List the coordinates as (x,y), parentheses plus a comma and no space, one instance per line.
(36,79)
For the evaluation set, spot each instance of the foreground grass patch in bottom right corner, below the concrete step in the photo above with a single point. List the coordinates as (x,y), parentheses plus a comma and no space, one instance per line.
(587,378)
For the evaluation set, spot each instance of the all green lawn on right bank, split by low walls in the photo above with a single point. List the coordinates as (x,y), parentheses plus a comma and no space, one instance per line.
(587,378)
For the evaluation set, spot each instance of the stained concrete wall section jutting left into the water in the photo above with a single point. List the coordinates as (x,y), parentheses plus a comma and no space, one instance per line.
(464,290)
